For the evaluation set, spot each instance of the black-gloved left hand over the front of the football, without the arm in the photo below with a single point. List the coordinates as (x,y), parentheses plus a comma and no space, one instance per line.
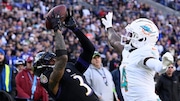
(55,21)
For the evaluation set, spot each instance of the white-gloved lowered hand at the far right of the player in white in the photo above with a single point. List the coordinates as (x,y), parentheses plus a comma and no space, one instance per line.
(167,59)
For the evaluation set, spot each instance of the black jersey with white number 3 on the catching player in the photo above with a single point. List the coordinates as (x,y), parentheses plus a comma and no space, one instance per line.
(73,86)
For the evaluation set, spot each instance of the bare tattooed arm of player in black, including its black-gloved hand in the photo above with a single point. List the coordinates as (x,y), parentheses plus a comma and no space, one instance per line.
(61,55)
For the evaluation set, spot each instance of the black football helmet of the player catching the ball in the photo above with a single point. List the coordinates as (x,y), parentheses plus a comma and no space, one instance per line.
(43,61)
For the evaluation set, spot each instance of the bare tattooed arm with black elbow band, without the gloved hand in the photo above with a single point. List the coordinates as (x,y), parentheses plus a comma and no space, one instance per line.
(61,60)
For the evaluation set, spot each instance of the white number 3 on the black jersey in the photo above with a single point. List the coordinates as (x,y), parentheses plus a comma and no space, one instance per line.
(89,90)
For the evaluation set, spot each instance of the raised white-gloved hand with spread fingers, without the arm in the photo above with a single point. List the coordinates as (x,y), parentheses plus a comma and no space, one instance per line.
(108,21)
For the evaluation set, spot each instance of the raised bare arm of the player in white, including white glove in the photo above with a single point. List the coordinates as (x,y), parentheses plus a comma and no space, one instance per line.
(113,38)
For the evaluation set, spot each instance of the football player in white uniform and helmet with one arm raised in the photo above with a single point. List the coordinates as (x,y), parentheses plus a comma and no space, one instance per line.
(140,58)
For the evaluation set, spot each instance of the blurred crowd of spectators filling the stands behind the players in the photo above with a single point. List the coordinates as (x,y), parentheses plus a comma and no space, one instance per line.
(23,31)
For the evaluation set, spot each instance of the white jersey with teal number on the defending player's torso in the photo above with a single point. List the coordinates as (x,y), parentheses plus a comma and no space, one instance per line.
(137,80)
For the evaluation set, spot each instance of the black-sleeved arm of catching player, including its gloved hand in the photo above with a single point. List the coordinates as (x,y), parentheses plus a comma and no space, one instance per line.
(84,60)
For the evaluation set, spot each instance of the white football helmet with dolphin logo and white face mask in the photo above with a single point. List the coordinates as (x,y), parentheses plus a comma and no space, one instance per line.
(140,33)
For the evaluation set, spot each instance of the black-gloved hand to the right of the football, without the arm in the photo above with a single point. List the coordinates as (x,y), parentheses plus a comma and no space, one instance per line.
(70,21)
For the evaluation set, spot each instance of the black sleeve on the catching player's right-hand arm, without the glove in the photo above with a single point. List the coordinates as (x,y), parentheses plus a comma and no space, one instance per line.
(88,49)
